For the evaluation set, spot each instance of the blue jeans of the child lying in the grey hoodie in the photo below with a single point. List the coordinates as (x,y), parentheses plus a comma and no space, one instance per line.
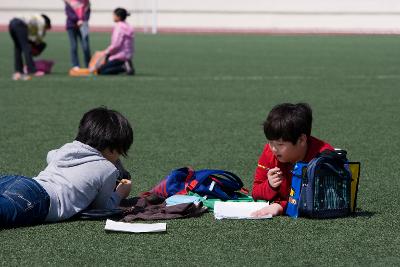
(23,201)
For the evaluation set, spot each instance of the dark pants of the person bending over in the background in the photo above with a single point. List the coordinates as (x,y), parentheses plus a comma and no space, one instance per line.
(19,33)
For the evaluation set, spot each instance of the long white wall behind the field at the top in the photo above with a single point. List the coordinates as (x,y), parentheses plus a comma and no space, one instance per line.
(243,15)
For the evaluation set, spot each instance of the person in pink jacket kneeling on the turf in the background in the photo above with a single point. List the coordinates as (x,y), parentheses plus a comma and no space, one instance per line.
(120,52)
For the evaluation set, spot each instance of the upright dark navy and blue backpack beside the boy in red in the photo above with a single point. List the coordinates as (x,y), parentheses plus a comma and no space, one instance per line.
(321,188)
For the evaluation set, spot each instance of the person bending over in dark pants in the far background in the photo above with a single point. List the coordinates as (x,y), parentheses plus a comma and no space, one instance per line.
(27,31)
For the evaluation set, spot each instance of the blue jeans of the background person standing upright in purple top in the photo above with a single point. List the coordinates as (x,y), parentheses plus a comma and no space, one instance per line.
(81,33)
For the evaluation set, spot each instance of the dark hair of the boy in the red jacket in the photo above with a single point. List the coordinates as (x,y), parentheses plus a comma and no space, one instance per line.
(289,122)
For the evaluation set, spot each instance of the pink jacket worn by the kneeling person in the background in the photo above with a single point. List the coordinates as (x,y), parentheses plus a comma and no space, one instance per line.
(122,42)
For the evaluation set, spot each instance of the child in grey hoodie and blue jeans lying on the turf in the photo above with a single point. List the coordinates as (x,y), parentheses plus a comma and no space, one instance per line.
(80,175)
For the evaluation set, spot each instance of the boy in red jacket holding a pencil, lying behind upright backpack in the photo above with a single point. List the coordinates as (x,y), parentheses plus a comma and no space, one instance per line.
(288,131)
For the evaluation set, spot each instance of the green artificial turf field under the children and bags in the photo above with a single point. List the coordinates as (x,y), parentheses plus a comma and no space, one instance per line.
(201,100)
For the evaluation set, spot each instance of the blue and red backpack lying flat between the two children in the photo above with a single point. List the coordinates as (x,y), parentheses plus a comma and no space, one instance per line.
(211,183)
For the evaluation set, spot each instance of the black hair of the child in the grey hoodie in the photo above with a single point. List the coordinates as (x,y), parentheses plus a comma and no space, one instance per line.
(103,128)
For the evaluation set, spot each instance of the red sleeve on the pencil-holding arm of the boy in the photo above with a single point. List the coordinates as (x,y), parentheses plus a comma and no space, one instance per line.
(261,188)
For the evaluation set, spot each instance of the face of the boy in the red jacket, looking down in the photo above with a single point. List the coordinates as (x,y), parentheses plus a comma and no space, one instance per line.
(286,152)
